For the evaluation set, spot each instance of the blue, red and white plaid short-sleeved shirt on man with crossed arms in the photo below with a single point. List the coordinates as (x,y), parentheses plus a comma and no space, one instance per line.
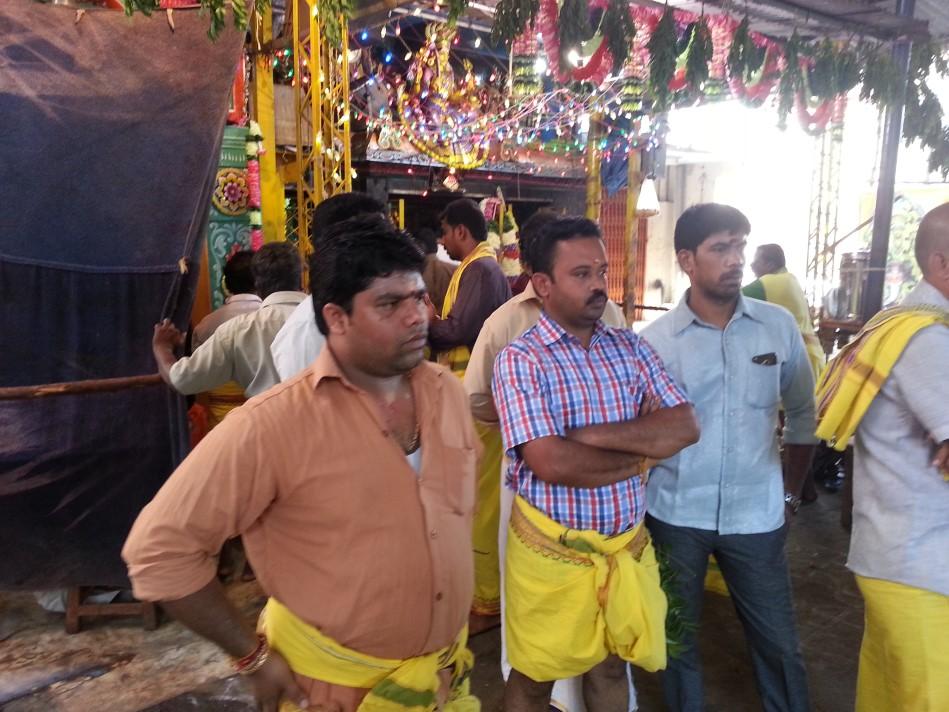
(546,383)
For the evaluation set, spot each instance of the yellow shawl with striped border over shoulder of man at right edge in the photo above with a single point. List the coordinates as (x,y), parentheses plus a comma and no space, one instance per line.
(855,376)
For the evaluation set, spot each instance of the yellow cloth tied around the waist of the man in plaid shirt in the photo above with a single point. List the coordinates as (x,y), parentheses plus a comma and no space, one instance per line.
(574,597)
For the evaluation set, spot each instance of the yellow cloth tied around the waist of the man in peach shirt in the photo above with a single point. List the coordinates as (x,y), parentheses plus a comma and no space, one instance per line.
(394,685)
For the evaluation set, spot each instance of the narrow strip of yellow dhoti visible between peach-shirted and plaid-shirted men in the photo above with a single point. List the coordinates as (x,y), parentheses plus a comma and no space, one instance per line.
(487,592)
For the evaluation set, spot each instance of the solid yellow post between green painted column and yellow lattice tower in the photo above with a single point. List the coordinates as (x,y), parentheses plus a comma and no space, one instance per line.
(272,205)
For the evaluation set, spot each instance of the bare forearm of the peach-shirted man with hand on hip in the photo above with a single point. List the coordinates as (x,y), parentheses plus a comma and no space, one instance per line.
(210,614)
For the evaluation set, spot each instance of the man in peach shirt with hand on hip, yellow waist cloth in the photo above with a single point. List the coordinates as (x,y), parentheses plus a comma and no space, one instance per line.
(353,485)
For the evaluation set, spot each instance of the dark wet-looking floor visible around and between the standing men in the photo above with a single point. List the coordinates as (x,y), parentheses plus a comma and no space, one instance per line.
(115,666)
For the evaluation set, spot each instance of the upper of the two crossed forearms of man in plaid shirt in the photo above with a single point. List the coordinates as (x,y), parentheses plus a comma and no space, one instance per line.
(656,435)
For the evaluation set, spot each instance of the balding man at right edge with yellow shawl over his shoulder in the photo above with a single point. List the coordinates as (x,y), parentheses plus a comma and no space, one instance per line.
(889,390)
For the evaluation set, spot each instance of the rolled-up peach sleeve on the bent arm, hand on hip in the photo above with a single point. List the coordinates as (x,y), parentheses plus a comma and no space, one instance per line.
(218,492)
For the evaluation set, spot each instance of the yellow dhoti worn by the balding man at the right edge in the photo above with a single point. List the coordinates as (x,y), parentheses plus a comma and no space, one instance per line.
(904,658)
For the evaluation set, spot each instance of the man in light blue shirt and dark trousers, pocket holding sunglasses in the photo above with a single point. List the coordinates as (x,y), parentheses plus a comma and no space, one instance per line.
(739,360)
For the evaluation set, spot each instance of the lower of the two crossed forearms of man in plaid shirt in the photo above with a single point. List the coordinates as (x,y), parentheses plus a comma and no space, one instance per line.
(574,464)
